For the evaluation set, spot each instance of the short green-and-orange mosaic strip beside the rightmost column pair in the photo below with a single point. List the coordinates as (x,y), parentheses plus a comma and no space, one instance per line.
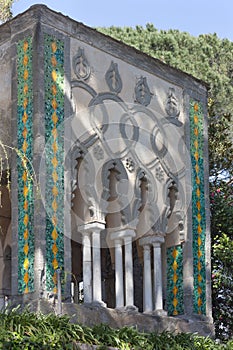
(175,294)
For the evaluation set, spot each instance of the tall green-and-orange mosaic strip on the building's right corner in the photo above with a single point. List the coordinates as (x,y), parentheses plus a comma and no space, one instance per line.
(198,207)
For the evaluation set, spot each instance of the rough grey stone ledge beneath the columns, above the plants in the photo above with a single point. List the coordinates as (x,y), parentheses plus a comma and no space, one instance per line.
(92,314)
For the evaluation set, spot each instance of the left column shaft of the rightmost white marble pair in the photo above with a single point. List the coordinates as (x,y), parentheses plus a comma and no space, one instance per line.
(147,279)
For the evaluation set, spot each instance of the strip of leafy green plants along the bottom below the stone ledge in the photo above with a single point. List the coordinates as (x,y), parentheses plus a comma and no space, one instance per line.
(29,331)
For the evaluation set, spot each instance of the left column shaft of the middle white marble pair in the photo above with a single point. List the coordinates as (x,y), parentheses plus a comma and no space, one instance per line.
(119,285)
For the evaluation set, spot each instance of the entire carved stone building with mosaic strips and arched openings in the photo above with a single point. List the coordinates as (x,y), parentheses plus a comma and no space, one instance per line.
(107,152)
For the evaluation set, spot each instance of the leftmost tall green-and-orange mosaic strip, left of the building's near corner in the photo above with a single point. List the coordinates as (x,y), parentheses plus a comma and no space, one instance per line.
(24,166)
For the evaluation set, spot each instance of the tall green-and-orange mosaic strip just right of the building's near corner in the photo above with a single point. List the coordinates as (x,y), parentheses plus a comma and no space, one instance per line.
(54,137)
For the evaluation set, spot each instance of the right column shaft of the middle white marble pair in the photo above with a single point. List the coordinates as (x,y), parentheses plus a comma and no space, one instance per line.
(129,287)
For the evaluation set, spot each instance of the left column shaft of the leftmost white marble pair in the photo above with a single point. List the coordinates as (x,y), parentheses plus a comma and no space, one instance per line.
(87,268)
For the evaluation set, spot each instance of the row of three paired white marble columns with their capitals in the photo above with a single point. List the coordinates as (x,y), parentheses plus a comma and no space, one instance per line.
(124,283)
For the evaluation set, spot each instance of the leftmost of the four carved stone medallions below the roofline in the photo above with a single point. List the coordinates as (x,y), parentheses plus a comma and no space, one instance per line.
(81,66)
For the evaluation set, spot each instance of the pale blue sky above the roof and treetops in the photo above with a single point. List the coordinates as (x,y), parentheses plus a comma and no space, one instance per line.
(193,16)
